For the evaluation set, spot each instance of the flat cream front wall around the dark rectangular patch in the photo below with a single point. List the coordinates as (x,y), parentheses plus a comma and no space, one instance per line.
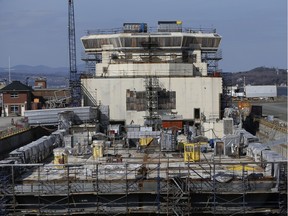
(191,92)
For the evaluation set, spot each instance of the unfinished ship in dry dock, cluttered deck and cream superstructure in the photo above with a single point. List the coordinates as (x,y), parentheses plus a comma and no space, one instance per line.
(151,138)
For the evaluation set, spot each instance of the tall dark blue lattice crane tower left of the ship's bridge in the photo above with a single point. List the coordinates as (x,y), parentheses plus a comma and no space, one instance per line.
(74,81)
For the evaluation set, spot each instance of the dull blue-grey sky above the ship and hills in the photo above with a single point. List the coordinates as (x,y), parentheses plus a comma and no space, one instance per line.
(34,32)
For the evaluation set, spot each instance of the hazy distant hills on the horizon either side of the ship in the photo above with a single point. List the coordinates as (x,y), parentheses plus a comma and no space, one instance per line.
(58,77)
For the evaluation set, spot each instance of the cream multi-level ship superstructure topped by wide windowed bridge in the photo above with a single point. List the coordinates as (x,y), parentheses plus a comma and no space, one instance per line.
(142,73)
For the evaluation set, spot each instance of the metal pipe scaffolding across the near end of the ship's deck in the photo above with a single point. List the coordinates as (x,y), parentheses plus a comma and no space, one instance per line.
(121,188)
